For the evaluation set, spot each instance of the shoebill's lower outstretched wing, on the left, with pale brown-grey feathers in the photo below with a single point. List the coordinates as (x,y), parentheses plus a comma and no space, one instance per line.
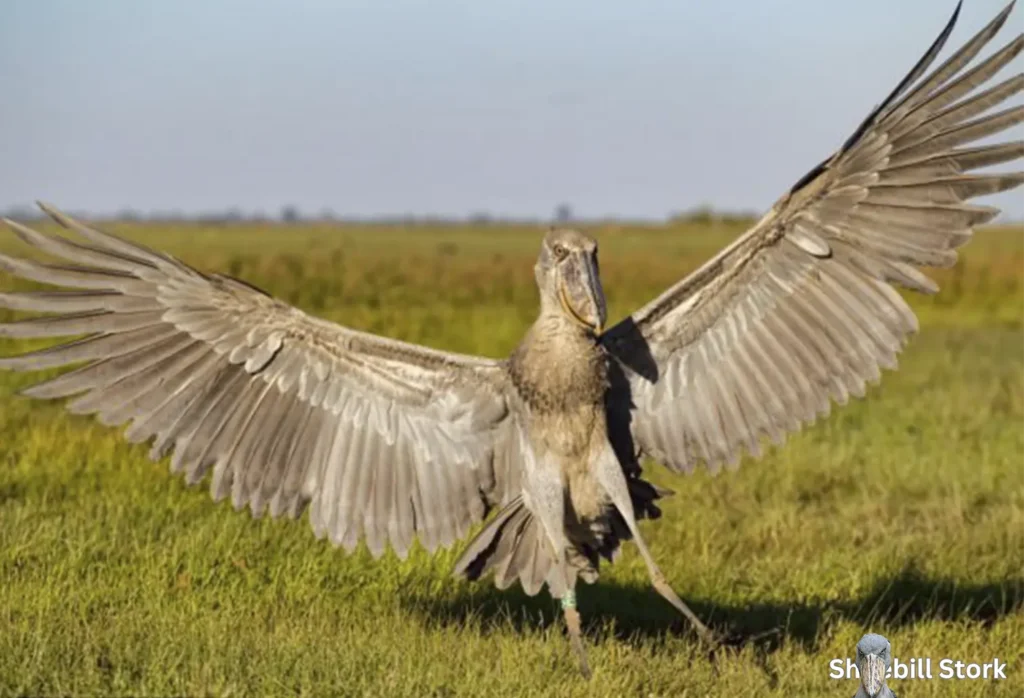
(386,440)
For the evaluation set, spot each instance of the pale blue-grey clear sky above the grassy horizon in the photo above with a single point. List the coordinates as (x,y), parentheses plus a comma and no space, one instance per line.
(445,107)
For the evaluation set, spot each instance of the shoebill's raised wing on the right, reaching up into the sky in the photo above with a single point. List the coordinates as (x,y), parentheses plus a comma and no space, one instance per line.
(799,311)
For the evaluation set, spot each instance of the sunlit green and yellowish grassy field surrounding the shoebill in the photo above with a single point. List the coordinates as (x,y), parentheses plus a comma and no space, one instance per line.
(903,514)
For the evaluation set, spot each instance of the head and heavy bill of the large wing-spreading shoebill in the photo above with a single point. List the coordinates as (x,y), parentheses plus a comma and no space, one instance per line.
(568,277)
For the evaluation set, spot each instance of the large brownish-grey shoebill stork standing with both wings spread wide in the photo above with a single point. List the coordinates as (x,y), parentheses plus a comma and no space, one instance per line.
(388,442)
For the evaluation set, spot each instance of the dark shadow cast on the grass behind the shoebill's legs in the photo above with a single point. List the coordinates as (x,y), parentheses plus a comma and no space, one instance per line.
(638,614)
